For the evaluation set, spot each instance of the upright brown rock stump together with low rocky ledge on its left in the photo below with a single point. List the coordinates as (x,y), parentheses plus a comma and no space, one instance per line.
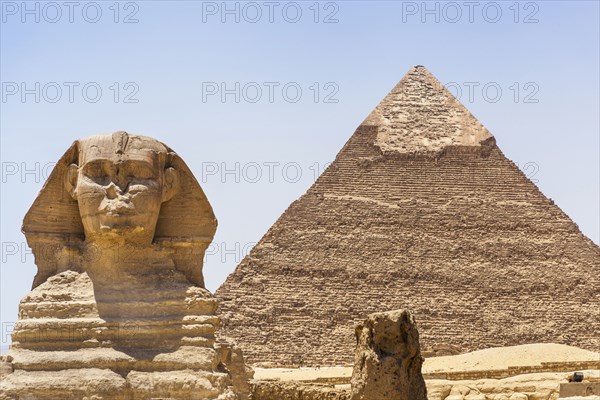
(387,366)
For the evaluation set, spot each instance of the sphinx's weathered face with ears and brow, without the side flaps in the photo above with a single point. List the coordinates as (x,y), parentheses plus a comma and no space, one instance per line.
(120,182)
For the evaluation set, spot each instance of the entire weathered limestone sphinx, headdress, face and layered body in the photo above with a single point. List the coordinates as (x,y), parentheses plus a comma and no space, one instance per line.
(118,308)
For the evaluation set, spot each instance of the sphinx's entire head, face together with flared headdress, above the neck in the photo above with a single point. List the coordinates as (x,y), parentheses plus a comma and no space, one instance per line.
(119,188)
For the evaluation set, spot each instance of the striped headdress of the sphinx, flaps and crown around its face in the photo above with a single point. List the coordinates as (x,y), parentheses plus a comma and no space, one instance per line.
(54,231)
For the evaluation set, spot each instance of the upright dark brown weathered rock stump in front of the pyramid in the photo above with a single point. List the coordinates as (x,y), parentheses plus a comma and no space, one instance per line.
(388,359)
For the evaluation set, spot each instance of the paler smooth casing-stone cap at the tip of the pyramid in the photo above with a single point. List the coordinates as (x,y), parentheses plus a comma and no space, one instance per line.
(420,115)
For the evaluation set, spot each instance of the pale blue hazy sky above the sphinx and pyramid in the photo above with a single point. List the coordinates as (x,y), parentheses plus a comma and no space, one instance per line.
(257,97)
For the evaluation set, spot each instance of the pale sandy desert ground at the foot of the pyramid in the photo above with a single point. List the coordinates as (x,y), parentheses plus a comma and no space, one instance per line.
(495,373)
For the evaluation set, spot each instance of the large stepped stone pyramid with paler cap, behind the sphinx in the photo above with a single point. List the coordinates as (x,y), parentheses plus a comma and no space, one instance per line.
(419,210)
